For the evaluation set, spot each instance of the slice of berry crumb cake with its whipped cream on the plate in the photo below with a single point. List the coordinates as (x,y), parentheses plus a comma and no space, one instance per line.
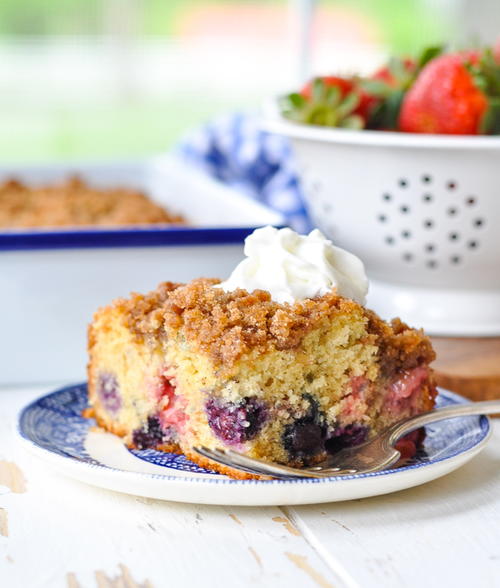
(281,362)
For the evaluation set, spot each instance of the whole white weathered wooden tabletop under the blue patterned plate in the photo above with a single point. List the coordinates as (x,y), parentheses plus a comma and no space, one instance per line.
(56,532)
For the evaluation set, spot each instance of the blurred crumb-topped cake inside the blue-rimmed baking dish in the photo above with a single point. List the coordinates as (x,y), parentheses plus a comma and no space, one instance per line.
(75,203)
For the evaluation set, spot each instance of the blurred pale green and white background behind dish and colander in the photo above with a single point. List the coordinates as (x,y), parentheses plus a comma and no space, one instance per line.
(126,78)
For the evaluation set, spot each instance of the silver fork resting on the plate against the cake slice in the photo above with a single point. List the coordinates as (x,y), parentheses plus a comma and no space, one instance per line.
(373,455)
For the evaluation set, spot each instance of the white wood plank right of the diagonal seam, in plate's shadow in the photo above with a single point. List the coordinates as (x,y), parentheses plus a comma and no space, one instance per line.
(445,533)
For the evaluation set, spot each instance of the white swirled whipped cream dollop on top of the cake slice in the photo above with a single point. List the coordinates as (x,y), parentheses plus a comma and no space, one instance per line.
(293,267)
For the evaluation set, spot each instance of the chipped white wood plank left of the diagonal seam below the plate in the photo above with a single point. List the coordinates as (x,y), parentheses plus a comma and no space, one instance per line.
(63,533)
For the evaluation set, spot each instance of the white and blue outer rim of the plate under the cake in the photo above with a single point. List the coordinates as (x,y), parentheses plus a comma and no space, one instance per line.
(58,459)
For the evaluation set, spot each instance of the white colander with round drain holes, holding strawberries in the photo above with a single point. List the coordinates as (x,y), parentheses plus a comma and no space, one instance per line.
(421,211)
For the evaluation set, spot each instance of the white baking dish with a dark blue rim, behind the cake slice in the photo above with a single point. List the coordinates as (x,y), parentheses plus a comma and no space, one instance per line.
(51,282)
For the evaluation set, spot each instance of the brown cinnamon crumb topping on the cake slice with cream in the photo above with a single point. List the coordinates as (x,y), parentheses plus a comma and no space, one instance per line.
(229,325)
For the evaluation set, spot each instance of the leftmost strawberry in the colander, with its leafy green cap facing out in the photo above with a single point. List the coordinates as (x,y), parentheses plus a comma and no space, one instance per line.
(330,101)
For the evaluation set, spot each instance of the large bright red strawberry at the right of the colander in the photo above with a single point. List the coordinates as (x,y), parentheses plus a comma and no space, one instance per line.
(445,98)
